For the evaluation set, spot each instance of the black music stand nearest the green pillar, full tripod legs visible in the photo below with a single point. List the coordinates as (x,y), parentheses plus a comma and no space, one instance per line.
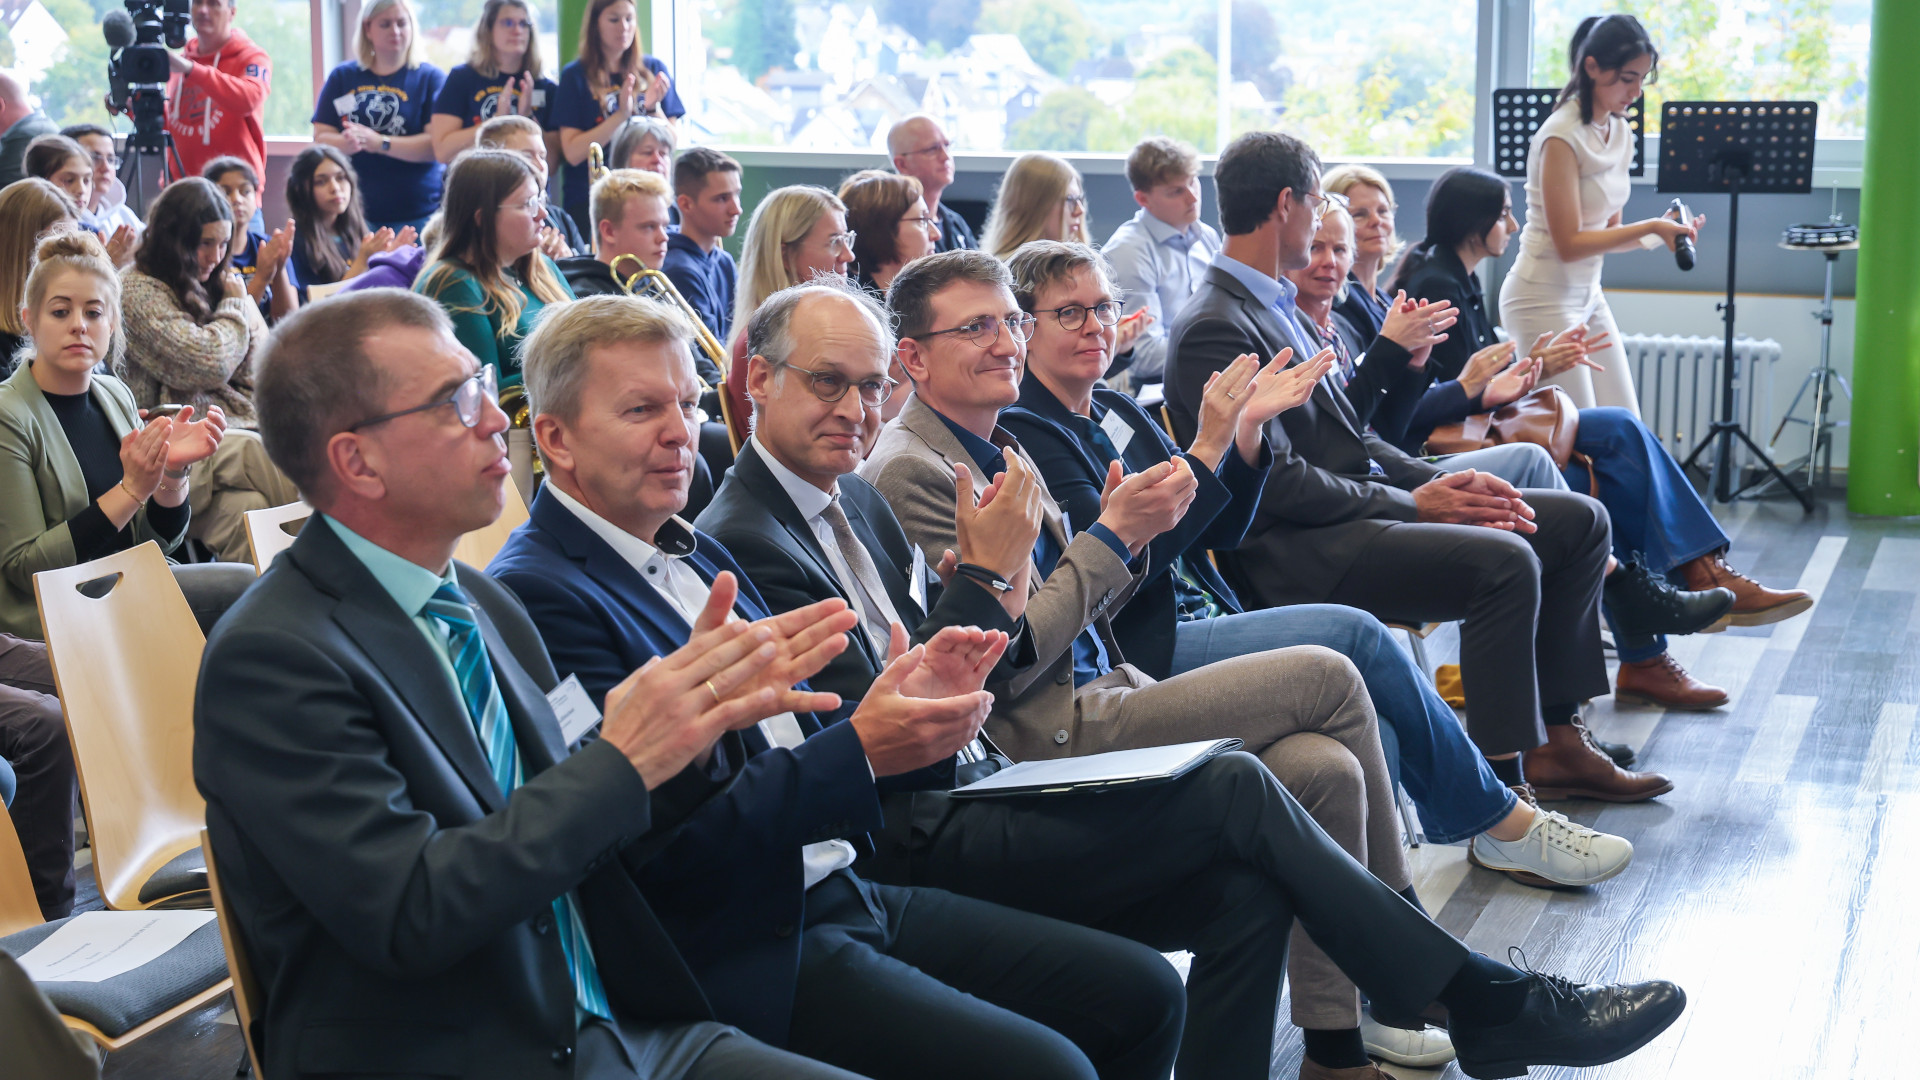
(1735,147)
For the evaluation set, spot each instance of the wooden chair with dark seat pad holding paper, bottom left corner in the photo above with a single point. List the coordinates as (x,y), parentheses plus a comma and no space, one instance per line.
(120,1010)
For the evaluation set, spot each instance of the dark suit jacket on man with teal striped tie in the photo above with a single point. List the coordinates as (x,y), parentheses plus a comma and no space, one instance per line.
(395,904)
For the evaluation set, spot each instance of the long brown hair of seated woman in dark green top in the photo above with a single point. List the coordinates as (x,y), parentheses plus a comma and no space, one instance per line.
(477,185)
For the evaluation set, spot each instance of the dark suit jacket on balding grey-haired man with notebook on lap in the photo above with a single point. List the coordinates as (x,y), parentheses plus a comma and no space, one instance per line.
(765,533)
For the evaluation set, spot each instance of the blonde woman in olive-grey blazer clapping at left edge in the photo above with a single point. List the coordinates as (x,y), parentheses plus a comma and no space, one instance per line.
(82,474)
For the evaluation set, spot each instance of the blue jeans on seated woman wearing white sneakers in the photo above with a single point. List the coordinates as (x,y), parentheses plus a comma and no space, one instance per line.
(1441,770)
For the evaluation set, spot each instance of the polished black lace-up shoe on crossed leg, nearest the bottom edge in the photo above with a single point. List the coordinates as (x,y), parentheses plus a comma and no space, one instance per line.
(1570,1023)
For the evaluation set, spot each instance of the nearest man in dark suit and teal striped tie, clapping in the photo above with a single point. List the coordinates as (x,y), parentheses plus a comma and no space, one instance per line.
(425,879)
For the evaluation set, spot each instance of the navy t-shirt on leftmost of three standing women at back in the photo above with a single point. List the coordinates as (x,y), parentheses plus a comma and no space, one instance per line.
(393,105)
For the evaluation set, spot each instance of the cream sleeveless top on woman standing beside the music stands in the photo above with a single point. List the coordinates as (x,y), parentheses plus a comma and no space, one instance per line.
(1604,189)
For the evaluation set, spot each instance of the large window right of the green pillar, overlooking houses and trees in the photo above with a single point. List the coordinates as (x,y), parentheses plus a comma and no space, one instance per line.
(1080,74)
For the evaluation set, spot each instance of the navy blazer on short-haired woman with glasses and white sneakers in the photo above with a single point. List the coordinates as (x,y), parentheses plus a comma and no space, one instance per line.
(1076,474)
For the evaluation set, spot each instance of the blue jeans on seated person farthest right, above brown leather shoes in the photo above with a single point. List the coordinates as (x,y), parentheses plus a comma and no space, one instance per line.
(1656,512)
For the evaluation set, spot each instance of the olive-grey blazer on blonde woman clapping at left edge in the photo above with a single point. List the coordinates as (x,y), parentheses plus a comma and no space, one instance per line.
(41,489)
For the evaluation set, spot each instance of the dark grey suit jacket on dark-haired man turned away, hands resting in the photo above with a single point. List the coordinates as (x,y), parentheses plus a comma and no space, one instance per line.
(1322,503)
